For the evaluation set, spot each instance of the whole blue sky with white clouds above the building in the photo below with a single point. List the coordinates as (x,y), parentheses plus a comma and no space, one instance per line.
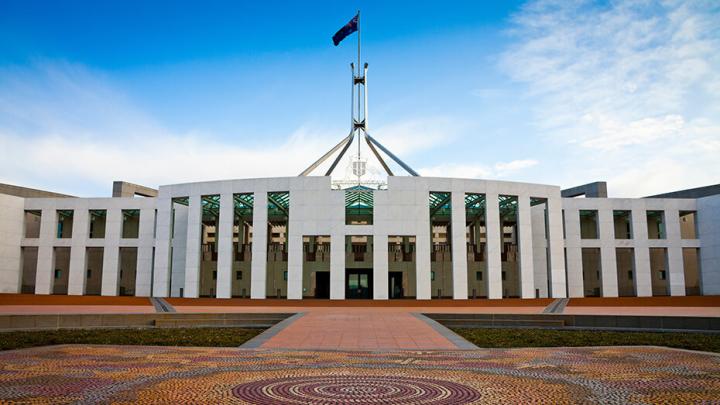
(550,92)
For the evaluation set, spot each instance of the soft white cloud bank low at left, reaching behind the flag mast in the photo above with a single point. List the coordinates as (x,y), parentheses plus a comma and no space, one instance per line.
(69,129)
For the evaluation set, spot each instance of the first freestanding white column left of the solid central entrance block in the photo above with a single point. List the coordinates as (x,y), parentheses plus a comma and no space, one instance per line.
(258,266)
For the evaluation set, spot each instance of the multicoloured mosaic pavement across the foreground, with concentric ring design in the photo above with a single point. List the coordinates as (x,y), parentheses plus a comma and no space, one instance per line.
(137,374)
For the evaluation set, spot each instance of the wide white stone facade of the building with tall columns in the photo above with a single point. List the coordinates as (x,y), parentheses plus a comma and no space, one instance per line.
(549,260)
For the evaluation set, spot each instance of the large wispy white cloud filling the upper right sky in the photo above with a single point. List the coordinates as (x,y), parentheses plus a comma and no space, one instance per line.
(629,87)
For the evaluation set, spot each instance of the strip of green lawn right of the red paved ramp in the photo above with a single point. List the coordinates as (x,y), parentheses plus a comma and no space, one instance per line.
(504,338)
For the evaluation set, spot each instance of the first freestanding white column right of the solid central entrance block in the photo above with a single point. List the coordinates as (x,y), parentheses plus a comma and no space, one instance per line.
(459,246)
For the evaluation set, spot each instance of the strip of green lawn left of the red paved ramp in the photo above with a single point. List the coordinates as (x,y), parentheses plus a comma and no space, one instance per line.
(210,337)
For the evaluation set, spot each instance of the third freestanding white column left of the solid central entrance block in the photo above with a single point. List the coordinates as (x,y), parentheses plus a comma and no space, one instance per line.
(192,248)
